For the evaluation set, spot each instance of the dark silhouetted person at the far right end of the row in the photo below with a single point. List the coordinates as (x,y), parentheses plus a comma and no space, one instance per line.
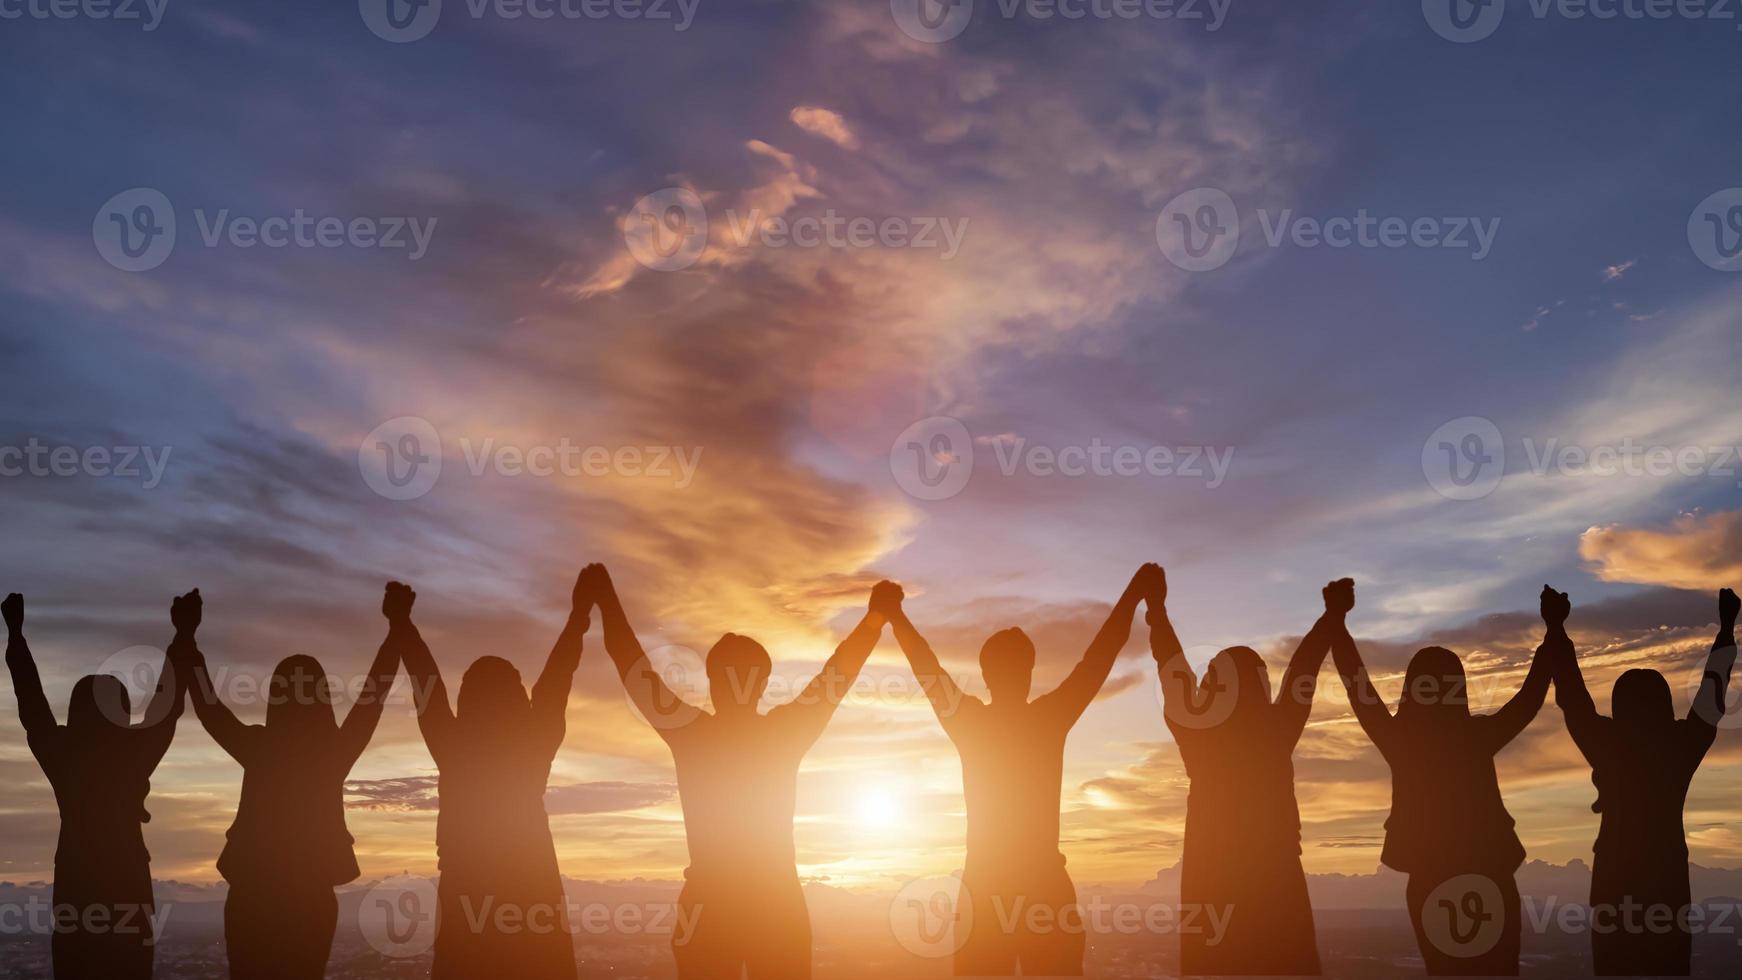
(1642,762)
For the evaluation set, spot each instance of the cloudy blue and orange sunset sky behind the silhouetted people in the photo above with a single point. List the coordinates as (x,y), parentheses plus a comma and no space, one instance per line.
(787,375)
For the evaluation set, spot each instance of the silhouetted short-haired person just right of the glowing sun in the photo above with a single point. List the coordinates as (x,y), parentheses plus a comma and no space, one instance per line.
(1022,904)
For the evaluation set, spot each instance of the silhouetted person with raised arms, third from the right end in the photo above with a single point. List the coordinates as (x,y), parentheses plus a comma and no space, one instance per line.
(1243,850)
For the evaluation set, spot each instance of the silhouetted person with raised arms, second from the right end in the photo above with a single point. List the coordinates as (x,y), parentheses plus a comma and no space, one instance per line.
(1450,829)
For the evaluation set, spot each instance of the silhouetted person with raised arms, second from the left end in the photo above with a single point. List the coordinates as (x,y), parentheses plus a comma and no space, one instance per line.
(288,849)
